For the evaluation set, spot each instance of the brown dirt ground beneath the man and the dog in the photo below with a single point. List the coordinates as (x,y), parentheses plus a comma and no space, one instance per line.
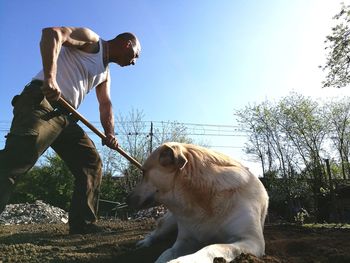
(51,243)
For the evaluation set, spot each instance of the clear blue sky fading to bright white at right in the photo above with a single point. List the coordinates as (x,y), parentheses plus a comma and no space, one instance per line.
(200,59)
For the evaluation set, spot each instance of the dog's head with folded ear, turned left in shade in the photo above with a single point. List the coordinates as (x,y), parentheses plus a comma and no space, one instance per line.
(159,174)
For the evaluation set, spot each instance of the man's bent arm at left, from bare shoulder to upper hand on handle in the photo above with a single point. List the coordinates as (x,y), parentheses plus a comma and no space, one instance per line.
(51,42)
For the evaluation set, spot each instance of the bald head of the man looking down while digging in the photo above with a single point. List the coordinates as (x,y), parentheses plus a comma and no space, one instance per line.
(125,49)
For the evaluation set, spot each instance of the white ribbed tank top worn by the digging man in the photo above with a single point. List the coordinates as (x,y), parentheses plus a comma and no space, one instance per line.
(78,72)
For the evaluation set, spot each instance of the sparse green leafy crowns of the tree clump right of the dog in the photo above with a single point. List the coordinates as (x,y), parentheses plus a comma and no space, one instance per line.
(285,136)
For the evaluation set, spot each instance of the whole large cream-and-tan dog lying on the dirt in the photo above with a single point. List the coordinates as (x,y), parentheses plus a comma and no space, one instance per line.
(217,205)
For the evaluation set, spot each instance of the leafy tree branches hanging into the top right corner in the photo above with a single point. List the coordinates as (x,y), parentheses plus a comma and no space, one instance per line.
(338,47)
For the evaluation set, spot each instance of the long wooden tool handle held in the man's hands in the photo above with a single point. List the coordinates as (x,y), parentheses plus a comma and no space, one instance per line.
(80,117)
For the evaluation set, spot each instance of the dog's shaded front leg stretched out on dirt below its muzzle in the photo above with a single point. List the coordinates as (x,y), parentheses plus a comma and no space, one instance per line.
(165,226)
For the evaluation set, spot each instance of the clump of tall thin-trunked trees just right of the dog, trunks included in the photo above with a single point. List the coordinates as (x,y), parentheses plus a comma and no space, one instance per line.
(289,135)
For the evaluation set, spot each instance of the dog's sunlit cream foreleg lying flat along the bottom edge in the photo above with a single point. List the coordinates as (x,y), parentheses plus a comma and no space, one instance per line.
(226,251)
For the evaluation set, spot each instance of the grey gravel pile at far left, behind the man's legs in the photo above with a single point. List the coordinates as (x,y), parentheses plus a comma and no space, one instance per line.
(37,213)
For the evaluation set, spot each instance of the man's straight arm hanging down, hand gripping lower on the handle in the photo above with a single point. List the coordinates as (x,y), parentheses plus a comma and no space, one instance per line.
(106,113)
